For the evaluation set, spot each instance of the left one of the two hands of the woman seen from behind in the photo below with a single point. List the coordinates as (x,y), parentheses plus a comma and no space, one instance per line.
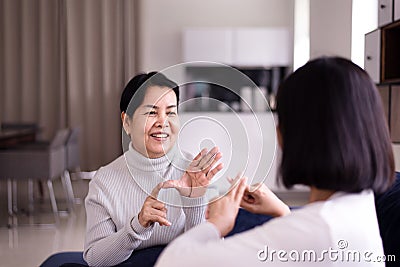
(222,212)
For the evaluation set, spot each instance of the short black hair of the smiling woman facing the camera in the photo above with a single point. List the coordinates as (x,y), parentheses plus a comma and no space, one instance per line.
(134,92)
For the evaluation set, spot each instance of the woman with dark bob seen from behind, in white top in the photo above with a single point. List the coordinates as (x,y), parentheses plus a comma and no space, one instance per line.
(334,139)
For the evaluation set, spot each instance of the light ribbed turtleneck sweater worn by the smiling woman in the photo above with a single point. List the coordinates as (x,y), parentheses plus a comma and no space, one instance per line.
(115,198)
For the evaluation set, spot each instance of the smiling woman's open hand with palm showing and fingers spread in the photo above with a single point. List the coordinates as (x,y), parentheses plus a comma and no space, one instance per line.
(197,177)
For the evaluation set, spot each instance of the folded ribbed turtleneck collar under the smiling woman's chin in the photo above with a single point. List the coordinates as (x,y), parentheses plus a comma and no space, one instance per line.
(139,162)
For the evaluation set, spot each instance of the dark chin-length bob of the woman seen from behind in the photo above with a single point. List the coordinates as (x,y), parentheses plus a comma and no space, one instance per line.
(333,128)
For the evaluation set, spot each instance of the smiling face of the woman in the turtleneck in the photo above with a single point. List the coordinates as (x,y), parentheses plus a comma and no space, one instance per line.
(154,125)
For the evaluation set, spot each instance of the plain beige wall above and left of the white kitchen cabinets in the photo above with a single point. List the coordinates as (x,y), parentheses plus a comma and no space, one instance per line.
(162,23)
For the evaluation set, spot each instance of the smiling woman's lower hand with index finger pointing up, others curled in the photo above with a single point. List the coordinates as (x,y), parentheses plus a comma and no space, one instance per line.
(153,210)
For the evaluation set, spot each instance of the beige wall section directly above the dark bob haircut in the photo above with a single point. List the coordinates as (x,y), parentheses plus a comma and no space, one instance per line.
(330,28)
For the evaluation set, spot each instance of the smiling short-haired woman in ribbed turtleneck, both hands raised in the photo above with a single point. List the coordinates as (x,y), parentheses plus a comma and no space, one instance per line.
(122,215)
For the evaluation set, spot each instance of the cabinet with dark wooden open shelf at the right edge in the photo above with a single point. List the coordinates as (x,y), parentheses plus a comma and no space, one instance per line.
(382,62)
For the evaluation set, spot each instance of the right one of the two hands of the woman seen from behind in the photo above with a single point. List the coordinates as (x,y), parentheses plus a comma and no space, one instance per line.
(260,199)
